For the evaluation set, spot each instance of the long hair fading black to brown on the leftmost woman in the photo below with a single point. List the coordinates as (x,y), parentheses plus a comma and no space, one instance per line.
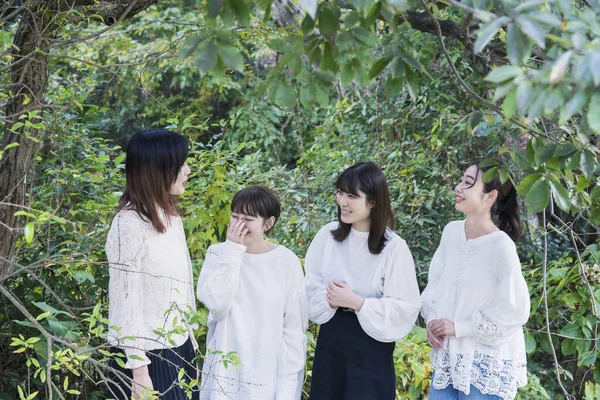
(154,159)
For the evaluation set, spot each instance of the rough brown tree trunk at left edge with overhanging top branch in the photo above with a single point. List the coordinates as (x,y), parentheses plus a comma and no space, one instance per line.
(29,71)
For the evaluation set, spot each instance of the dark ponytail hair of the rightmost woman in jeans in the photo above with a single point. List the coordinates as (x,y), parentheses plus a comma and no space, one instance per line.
(506,208)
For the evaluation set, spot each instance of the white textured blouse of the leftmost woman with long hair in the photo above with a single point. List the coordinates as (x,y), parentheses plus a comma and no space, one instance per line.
(150,286)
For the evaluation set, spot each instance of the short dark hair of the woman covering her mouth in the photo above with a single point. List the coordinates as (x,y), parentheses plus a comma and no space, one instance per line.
(258,201)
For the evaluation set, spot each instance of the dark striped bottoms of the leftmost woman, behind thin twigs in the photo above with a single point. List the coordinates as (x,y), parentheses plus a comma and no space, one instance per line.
(164,373)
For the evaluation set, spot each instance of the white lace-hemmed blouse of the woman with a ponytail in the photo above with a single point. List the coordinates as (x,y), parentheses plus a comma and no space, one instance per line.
(478,284)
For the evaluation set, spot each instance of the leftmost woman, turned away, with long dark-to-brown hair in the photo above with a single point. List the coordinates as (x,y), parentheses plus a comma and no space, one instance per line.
(151,282)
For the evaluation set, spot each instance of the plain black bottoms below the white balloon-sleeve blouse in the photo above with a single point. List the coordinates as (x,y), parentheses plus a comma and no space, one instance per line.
(351,365)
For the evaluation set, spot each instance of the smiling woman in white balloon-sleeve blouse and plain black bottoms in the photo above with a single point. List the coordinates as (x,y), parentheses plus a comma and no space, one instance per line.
(362,289)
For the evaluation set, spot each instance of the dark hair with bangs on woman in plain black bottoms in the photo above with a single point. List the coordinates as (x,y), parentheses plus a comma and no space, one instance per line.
(368,178)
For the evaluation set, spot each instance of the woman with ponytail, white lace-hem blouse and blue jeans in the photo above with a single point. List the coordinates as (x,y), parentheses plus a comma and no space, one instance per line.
(476,300)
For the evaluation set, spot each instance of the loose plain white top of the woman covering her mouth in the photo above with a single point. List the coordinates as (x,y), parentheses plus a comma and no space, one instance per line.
(258,310)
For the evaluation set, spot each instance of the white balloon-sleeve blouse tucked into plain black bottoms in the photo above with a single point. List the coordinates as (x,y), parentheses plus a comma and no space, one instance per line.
(387,281)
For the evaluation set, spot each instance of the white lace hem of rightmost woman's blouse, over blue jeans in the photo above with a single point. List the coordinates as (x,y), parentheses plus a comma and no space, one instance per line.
(489,375)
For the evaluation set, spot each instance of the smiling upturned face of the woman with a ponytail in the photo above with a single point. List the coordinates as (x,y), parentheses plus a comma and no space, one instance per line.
(470,197)
